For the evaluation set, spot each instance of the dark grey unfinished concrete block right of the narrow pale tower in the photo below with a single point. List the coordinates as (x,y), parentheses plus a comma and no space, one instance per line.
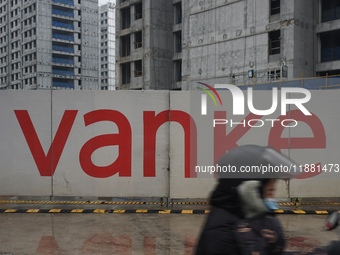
(145,44)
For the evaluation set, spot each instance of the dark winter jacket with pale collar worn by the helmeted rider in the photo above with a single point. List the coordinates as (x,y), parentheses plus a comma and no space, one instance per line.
(240,229)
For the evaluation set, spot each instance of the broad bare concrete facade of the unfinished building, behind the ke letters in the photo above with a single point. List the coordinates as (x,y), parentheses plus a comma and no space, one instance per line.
(248,42)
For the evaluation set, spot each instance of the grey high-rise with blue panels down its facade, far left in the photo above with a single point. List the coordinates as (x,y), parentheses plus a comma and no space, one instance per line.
(49,44)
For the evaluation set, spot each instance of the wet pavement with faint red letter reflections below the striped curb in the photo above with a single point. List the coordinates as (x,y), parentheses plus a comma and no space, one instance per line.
(130,233)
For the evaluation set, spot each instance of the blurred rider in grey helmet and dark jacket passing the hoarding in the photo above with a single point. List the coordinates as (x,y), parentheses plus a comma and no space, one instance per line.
(238,223)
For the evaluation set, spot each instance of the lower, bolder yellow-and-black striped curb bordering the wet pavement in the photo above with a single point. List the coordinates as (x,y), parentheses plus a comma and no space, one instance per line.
(147,211)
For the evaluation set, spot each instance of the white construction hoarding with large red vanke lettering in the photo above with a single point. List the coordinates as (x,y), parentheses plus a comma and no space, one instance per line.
(151,143)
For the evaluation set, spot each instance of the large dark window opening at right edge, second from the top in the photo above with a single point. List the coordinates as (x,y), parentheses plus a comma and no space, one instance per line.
(330,46)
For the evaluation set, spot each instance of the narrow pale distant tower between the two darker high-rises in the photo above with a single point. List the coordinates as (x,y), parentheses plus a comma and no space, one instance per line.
(107,46)
